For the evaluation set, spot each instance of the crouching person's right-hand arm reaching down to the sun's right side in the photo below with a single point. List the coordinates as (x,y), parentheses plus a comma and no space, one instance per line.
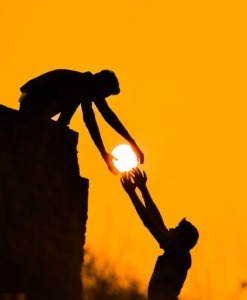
(115,123)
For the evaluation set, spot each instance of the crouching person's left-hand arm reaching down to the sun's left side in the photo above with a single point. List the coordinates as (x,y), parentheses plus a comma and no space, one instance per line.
(92,126)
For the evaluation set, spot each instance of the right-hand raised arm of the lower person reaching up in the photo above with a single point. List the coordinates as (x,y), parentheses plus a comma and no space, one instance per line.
(140,180)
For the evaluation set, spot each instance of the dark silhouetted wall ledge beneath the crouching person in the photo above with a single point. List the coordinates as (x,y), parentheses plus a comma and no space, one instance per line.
(43,208)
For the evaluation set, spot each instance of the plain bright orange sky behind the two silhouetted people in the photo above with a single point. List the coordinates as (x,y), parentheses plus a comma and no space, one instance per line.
(182,70)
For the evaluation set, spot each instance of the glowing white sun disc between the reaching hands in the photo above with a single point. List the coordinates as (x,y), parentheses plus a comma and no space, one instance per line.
(126,158)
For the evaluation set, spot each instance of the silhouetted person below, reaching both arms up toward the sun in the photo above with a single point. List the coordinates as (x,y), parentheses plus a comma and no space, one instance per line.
(171,268)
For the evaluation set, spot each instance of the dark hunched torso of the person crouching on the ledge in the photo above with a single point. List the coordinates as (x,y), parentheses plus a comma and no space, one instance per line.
(58,91)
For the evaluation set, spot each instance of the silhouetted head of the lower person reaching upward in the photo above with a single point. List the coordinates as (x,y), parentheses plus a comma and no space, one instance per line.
(187,233)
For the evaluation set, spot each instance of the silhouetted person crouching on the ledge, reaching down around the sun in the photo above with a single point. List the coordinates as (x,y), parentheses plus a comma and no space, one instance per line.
(62,91)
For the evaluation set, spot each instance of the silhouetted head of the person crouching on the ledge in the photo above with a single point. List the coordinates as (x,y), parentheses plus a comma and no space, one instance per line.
(108,82)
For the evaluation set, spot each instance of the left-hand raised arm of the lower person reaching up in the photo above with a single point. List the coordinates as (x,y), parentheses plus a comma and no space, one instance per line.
(158,232)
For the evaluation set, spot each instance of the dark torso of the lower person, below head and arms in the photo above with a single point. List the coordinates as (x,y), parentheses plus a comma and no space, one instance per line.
(169,274)
